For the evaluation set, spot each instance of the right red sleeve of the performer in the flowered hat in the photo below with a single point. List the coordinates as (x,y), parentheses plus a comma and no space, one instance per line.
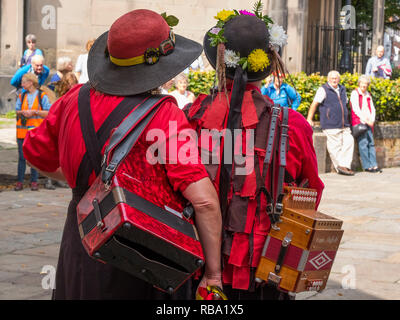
(302,160)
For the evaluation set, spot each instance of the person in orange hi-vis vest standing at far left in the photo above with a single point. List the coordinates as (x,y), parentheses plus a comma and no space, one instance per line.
(32,107)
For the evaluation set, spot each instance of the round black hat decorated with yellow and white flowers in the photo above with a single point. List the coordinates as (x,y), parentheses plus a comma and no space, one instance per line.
(243,33)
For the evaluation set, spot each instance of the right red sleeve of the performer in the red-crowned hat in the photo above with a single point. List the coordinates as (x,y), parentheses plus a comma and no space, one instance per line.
(182,160)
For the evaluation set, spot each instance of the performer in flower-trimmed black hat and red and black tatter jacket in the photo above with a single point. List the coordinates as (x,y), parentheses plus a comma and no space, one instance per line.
(242,59)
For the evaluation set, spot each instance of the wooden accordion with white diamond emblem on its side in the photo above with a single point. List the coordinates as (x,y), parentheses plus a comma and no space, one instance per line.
(299,255)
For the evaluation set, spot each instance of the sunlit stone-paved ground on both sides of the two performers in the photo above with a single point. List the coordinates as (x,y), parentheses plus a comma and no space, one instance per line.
(367,265)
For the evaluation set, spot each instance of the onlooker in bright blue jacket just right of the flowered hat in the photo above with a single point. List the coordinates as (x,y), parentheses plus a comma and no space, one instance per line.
(282,93)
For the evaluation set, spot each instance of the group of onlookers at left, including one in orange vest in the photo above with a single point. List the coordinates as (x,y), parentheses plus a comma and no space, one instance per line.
(36,92)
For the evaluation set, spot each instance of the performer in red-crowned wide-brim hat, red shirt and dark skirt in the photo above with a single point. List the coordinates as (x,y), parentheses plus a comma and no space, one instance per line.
(126,64)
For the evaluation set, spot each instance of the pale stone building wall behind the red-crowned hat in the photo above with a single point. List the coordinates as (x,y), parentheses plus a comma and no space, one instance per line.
(63,27)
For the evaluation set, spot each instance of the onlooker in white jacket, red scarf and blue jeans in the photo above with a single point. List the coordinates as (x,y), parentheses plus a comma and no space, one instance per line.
(363,111)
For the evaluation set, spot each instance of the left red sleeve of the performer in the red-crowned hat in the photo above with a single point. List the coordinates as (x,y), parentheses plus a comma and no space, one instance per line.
(41,144)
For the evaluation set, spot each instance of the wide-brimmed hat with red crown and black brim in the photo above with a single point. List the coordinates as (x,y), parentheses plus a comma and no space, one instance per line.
(110,78)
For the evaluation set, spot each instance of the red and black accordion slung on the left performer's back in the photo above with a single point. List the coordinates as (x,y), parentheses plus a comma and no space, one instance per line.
(154,240)
